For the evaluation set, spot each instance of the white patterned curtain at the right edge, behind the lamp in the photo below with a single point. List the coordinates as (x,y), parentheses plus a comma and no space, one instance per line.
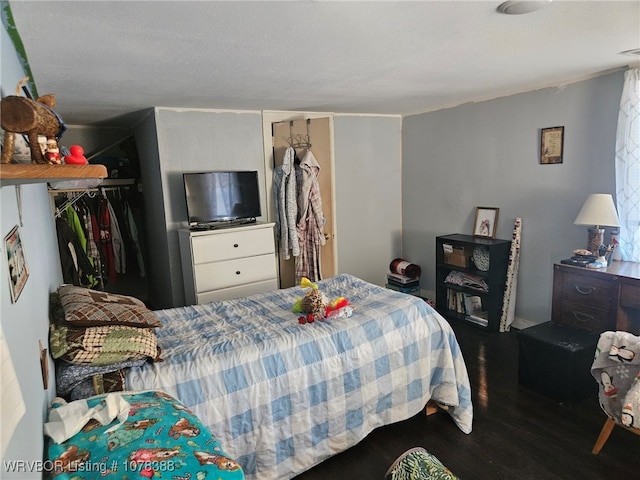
(628,167)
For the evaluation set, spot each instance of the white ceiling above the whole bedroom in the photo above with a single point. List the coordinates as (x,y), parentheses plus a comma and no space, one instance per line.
(106,59)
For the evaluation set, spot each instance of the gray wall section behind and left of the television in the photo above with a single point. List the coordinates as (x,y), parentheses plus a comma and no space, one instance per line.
(171,142)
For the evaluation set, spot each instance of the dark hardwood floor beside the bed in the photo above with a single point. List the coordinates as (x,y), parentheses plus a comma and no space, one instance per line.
(517,434)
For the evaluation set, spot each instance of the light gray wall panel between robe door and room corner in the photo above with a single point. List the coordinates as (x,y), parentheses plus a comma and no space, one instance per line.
(368,194)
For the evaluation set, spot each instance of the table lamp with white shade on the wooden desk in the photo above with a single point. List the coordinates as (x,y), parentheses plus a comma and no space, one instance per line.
(598,211)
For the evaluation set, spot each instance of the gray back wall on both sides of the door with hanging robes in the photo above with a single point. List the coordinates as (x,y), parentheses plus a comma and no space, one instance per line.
(367,173)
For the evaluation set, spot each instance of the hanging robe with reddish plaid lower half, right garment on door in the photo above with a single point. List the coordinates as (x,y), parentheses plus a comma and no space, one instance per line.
(310,225)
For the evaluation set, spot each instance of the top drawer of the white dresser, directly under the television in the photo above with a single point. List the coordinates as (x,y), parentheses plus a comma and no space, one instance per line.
(232,244)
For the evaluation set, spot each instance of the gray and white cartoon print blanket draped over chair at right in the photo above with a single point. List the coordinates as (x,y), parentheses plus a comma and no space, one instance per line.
(616,368)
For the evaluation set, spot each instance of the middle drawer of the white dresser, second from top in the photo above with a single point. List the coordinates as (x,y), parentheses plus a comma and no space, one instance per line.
(231,273)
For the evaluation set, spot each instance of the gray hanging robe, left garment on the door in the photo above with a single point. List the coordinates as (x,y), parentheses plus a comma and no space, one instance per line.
(284,189)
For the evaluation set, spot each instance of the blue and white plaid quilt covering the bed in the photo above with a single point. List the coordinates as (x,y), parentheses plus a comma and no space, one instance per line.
(282,397)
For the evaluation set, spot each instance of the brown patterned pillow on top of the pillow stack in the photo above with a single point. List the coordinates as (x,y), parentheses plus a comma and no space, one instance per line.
(84,307)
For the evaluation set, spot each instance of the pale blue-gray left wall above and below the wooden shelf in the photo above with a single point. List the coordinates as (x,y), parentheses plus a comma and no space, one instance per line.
(26,322)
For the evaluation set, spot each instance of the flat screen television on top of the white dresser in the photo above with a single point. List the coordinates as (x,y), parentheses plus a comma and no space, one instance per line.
(222,197)
